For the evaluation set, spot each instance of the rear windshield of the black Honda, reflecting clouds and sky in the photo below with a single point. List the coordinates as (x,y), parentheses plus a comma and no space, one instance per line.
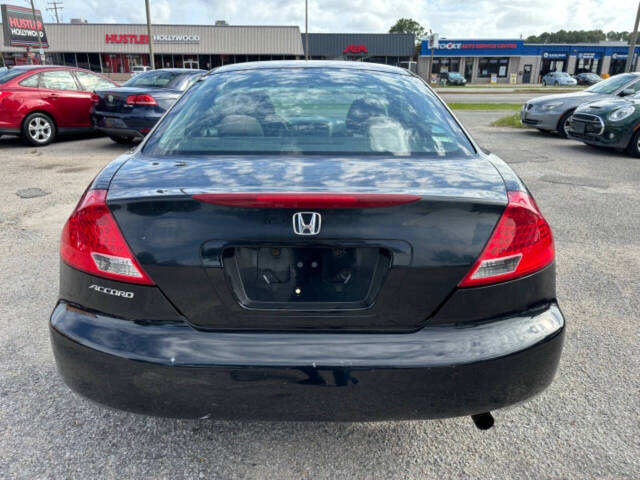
(309,111)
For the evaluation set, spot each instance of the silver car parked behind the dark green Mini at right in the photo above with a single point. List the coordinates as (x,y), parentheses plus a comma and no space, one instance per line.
(553,112)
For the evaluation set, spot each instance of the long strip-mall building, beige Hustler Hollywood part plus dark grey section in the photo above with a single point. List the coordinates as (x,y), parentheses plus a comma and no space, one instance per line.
(114,49)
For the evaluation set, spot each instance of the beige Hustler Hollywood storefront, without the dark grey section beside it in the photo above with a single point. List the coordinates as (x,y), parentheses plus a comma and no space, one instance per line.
(114,49)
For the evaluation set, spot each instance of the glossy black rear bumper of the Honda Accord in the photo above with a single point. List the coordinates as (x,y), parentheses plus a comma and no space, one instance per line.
(175,371)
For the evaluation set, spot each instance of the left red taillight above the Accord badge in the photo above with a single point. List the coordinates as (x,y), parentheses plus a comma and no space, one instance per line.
(92,242)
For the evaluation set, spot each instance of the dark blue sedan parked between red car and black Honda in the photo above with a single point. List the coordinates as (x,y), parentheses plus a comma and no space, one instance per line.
(131,111)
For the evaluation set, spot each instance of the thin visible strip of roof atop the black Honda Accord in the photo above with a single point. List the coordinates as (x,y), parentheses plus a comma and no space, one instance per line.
(326,64)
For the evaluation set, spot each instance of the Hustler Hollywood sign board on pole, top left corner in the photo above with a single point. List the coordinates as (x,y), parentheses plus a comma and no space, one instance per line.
(20,28)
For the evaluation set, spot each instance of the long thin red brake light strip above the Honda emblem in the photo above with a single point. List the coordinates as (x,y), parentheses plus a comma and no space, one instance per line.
(305,200)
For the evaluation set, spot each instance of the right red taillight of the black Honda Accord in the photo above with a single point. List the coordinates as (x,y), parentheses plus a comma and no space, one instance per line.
(521,243)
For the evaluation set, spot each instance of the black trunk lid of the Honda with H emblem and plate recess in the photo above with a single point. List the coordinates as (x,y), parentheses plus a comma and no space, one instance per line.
(368,267)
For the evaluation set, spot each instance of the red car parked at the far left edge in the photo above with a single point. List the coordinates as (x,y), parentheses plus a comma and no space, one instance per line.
(40,102)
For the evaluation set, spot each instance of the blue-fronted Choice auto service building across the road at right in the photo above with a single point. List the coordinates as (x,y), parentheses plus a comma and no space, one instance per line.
(504,61)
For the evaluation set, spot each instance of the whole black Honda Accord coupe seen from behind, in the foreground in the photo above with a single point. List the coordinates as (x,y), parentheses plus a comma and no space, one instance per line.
(308,241)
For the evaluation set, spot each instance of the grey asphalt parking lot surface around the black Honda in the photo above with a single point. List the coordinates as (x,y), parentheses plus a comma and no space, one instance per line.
(586,425)
